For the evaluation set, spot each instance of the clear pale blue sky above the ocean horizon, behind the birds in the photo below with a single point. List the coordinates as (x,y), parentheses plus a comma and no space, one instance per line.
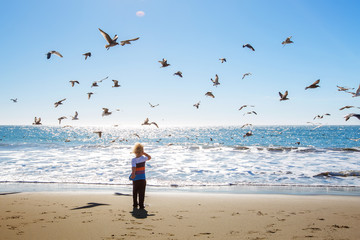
(192,36)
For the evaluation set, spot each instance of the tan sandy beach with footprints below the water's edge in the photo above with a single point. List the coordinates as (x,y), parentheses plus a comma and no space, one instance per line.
(178,216)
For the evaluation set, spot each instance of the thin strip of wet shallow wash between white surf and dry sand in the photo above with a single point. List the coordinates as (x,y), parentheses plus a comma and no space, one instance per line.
(35,187)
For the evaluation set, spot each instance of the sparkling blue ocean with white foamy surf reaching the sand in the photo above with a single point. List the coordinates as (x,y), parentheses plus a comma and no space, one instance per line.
(293,159)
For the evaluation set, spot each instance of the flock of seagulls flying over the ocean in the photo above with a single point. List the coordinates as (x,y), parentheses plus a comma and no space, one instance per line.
(112,42)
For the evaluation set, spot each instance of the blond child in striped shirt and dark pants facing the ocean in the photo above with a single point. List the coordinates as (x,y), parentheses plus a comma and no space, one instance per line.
(138,175)
